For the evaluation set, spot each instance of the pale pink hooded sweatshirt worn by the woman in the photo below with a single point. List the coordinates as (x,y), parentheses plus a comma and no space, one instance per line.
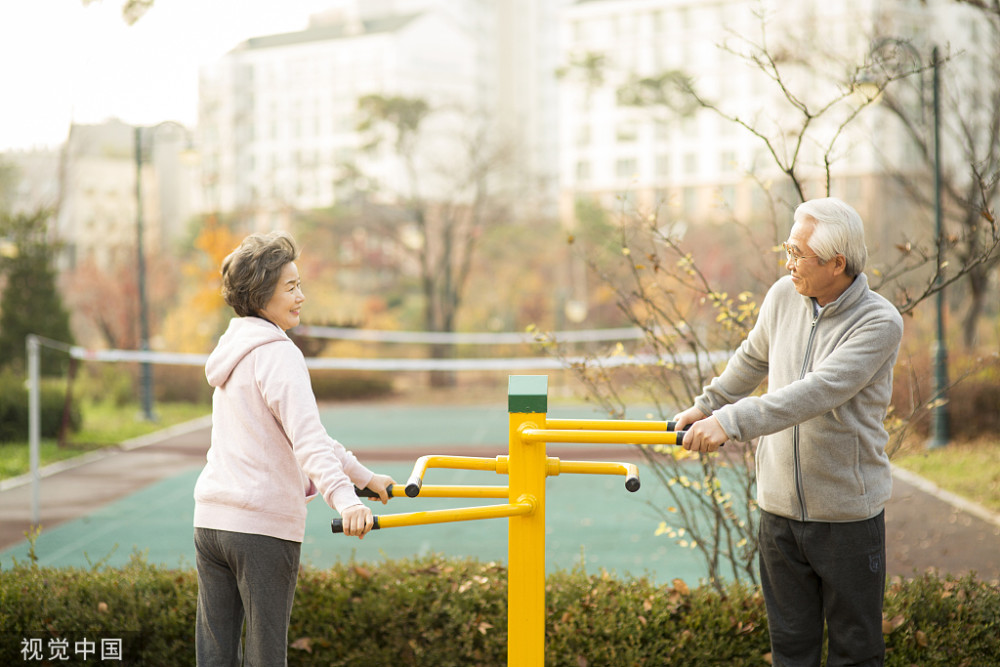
(270,453)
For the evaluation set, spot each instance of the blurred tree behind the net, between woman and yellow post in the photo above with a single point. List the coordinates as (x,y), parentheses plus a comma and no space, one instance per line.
(437,204)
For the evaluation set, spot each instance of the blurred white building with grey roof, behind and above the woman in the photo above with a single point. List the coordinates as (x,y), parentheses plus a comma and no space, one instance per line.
(278,115)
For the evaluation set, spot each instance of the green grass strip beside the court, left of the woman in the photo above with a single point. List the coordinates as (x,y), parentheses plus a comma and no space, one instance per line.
(104,425)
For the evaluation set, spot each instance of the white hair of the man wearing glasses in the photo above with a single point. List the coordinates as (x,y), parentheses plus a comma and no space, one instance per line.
(838,230)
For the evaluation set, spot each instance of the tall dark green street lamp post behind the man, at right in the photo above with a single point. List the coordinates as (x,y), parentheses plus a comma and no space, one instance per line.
(940,431)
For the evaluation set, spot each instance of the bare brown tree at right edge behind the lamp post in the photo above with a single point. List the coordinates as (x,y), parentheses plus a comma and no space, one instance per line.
(968,115)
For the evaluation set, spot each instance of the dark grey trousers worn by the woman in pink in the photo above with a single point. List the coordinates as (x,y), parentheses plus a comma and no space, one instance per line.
(243,576)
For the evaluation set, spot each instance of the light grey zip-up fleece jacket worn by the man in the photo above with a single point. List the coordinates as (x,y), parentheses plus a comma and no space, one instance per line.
(821,456)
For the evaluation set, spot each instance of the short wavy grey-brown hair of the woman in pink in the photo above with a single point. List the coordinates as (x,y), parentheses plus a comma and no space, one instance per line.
(250,273)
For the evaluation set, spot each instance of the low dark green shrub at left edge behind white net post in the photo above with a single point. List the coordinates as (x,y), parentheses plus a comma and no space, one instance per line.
(14,408)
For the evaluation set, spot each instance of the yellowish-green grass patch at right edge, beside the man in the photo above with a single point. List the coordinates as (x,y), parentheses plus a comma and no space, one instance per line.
(971,470)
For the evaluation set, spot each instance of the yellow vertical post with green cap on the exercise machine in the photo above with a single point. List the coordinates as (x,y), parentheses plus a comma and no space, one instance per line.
(527,403)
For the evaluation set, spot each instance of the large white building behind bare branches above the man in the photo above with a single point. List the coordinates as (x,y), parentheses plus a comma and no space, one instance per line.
(703,165)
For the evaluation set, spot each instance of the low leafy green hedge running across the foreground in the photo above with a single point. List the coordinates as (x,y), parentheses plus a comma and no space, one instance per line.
(442,612)
